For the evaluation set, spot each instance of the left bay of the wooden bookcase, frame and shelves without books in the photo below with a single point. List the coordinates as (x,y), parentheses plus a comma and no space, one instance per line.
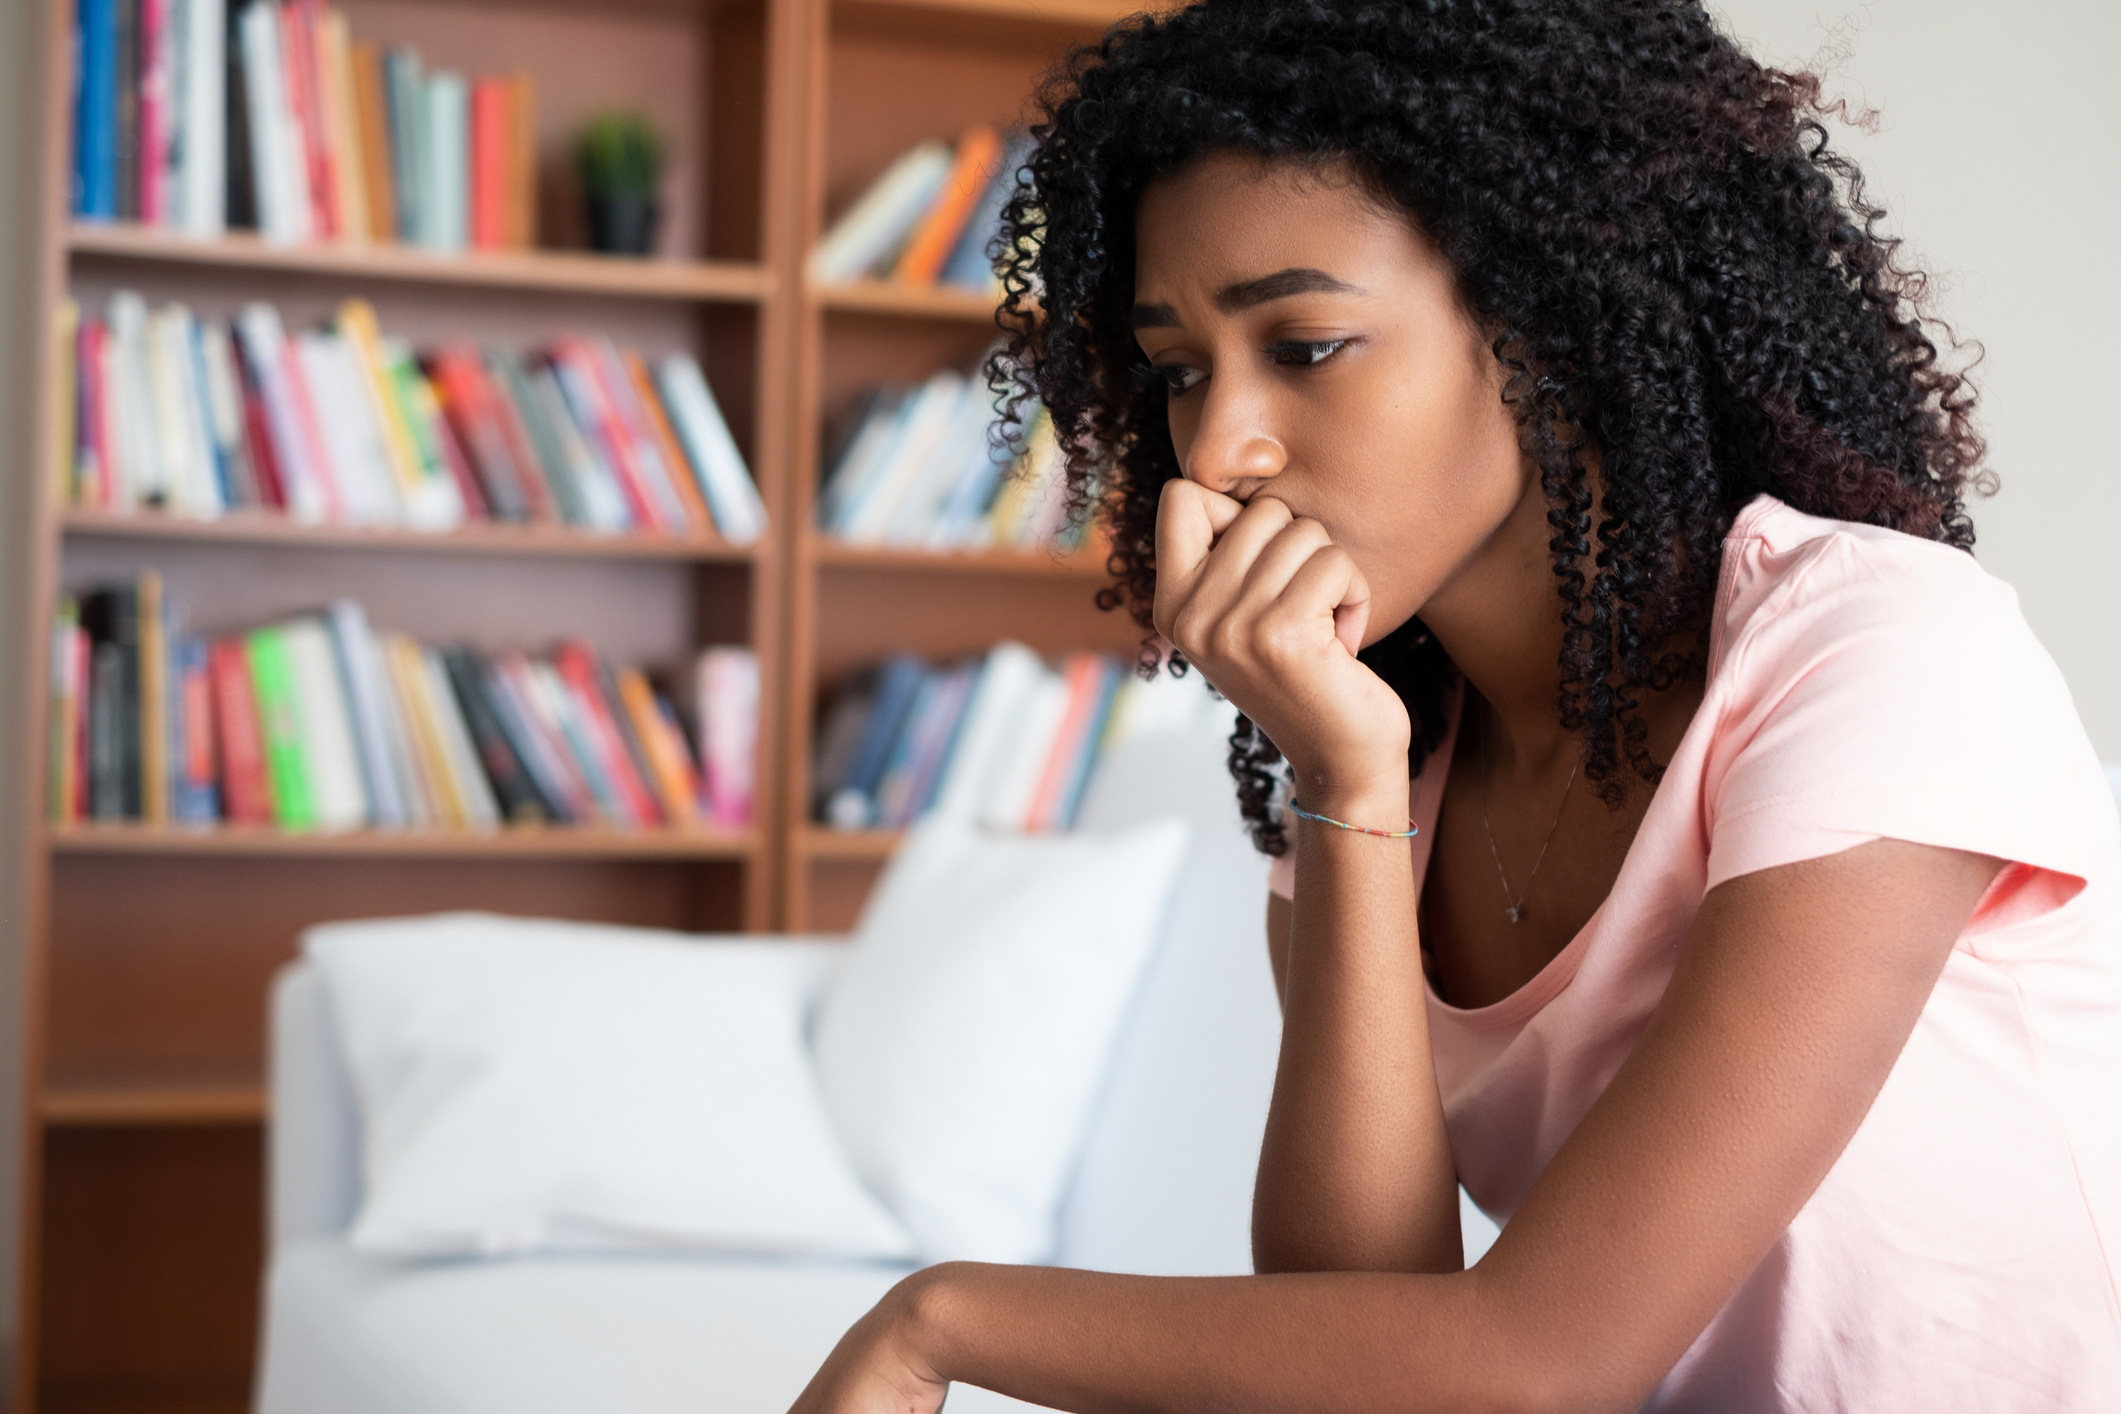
(152,949)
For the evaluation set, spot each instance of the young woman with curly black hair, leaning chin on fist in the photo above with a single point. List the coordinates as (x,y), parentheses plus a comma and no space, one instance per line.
(1513,408)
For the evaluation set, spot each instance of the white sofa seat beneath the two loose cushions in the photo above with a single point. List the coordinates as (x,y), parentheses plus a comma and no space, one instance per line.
(639,1335)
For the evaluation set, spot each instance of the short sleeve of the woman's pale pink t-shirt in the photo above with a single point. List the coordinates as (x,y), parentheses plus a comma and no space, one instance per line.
(1889,688)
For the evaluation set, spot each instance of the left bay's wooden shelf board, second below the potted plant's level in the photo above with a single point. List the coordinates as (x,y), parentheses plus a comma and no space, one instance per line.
(476,540)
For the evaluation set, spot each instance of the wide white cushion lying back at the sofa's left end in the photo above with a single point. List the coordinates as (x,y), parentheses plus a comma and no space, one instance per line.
(569,1086)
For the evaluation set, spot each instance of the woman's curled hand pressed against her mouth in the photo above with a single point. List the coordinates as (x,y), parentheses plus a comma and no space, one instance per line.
(1274,614)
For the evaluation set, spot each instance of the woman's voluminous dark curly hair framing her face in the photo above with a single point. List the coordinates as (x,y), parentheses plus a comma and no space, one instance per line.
(1687,289)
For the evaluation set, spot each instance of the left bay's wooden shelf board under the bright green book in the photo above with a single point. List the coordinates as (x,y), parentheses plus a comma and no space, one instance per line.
(521,843)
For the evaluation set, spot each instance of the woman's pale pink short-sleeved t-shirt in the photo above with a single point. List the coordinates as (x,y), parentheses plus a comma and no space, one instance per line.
(1963,1252)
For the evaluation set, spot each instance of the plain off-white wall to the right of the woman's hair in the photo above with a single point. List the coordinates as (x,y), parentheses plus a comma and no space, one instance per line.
(2001,164)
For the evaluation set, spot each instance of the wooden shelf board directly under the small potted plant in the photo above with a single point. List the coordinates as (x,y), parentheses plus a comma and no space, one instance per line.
(561,272)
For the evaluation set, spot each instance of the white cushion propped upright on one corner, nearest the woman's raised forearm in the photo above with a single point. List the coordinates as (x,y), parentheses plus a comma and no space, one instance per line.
(966,1040)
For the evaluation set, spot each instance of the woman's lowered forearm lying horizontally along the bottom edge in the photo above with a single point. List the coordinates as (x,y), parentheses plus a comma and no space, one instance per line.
(1331,1343)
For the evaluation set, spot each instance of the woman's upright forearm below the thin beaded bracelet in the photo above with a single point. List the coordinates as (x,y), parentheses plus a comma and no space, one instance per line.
(1356,1169)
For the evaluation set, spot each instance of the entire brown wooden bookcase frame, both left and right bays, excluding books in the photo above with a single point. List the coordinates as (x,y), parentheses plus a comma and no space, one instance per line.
(152,951)
